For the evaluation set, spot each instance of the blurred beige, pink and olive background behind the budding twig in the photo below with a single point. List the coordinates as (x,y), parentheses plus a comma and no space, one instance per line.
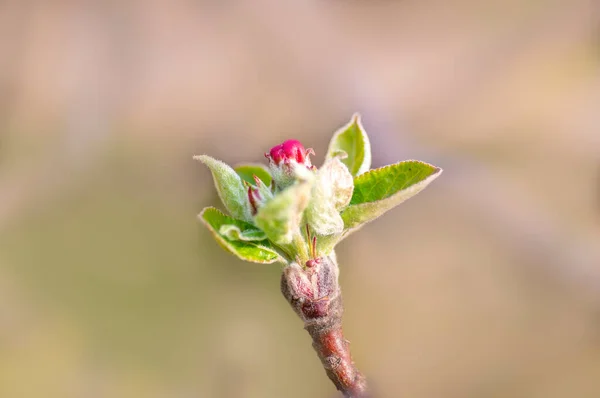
(487,284)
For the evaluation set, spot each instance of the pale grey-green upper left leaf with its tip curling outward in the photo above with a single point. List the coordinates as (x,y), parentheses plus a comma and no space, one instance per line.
(230,188)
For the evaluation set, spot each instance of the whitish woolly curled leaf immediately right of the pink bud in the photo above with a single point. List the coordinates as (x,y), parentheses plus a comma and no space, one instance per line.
(331,193)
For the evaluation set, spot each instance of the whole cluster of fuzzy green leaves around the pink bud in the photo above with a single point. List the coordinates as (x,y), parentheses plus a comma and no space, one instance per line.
(302,204)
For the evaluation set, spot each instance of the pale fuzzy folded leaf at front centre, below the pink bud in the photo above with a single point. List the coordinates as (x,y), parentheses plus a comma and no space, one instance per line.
(280,217)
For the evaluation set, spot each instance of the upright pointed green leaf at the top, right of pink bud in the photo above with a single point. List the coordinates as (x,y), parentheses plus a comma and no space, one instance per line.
(353,140)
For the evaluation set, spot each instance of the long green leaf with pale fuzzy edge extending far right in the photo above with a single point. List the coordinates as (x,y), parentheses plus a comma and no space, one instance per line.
(378,191)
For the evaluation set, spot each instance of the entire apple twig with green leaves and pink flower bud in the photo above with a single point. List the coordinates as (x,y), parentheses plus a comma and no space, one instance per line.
(295,213)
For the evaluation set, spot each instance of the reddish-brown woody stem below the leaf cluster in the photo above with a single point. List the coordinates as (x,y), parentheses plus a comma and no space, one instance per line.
(313,292)
